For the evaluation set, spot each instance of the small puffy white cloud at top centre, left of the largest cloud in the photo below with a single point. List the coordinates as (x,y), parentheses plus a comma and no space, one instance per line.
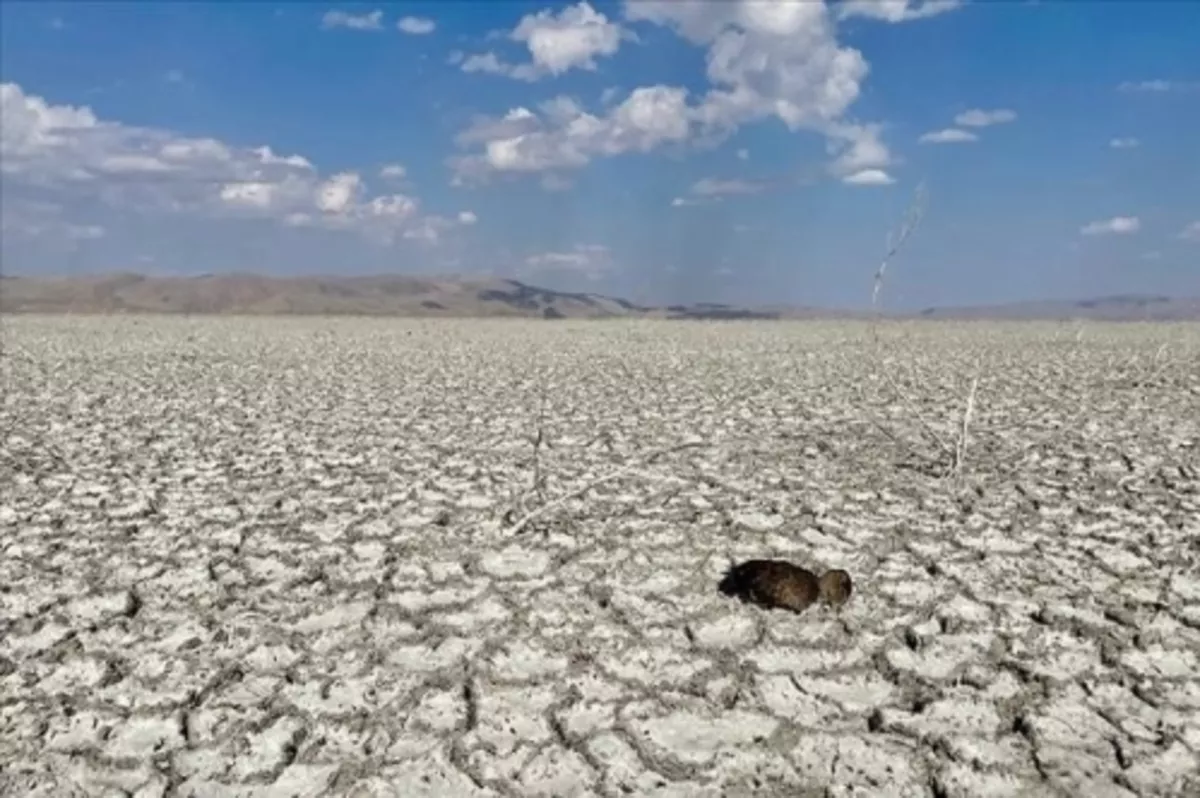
(557,44)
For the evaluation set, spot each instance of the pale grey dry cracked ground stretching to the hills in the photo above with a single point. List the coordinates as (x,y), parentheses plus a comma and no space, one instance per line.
(332,557)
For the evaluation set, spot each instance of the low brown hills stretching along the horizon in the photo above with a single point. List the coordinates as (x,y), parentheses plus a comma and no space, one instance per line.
(472,297)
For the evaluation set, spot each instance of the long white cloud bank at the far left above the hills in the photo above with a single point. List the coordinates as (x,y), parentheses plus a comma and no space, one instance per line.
(69,152)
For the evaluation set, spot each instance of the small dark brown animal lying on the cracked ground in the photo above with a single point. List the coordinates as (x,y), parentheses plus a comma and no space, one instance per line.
(778,584)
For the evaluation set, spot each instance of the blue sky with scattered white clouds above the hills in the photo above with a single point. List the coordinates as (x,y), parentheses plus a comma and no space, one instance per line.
(739,151)
